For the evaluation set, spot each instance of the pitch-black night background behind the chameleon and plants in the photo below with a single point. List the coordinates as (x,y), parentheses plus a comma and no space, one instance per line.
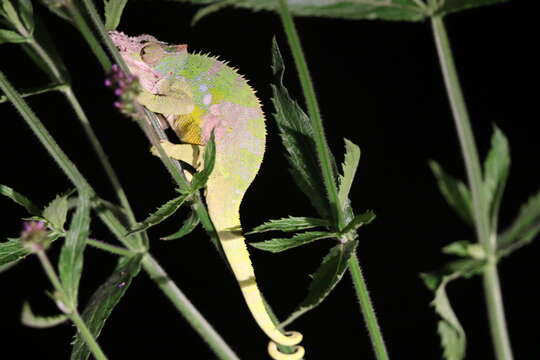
(379,85)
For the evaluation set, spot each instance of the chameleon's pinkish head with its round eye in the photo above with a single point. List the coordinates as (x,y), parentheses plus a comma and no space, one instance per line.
(145,56)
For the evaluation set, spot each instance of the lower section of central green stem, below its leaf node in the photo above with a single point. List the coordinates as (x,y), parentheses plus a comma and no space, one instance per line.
(367,309)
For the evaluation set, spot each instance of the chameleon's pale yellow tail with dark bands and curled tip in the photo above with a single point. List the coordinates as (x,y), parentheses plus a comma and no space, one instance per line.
(236,252)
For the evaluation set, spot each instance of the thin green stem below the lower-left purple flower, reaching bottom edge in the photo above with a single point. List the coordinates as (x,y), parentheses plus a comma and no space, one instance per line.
(72,313)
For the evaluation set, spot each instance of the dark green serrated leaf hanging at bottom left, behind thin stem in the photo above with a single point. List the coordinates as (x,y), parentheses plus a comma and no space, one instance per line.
(103,302)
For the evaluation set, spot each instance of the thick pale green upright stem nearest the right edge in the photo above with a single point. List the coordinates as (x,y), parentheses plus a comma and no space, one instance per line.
(492,288)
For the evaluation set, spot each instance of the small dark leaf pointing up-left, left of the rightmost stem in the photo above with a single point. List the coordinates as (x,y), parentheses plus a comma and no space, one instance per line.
(454,191)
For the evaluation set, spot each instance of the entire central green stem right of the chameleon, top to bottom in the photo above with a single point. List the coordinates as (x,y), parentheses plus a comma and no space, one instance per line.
(325,159)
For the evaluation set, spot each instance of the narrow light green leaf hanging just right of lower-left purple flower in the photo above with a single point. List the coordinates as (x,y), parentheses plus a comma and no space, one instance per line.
(70,264)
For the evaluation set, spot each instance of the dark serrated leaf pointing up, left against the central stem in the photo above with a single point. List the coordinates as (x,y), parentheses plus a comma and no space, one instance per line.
(297,136)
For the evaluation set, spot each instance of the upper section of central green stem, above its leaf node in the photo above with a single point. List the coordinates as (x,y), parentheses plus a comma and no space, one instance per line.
(323,151)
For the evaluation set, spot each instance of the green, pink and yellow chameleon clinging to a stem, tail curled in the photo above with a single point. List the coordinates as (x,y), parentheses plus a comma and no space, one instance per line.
(197,94)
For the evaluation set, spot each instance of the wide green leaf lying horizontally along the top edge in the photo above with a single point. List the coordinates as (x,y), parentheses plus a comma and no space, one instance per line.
(405,10)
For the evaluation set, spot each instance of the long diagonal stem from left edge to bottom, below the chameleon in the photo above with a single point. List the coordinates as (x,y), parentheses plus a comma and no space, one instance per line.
(173,293)
